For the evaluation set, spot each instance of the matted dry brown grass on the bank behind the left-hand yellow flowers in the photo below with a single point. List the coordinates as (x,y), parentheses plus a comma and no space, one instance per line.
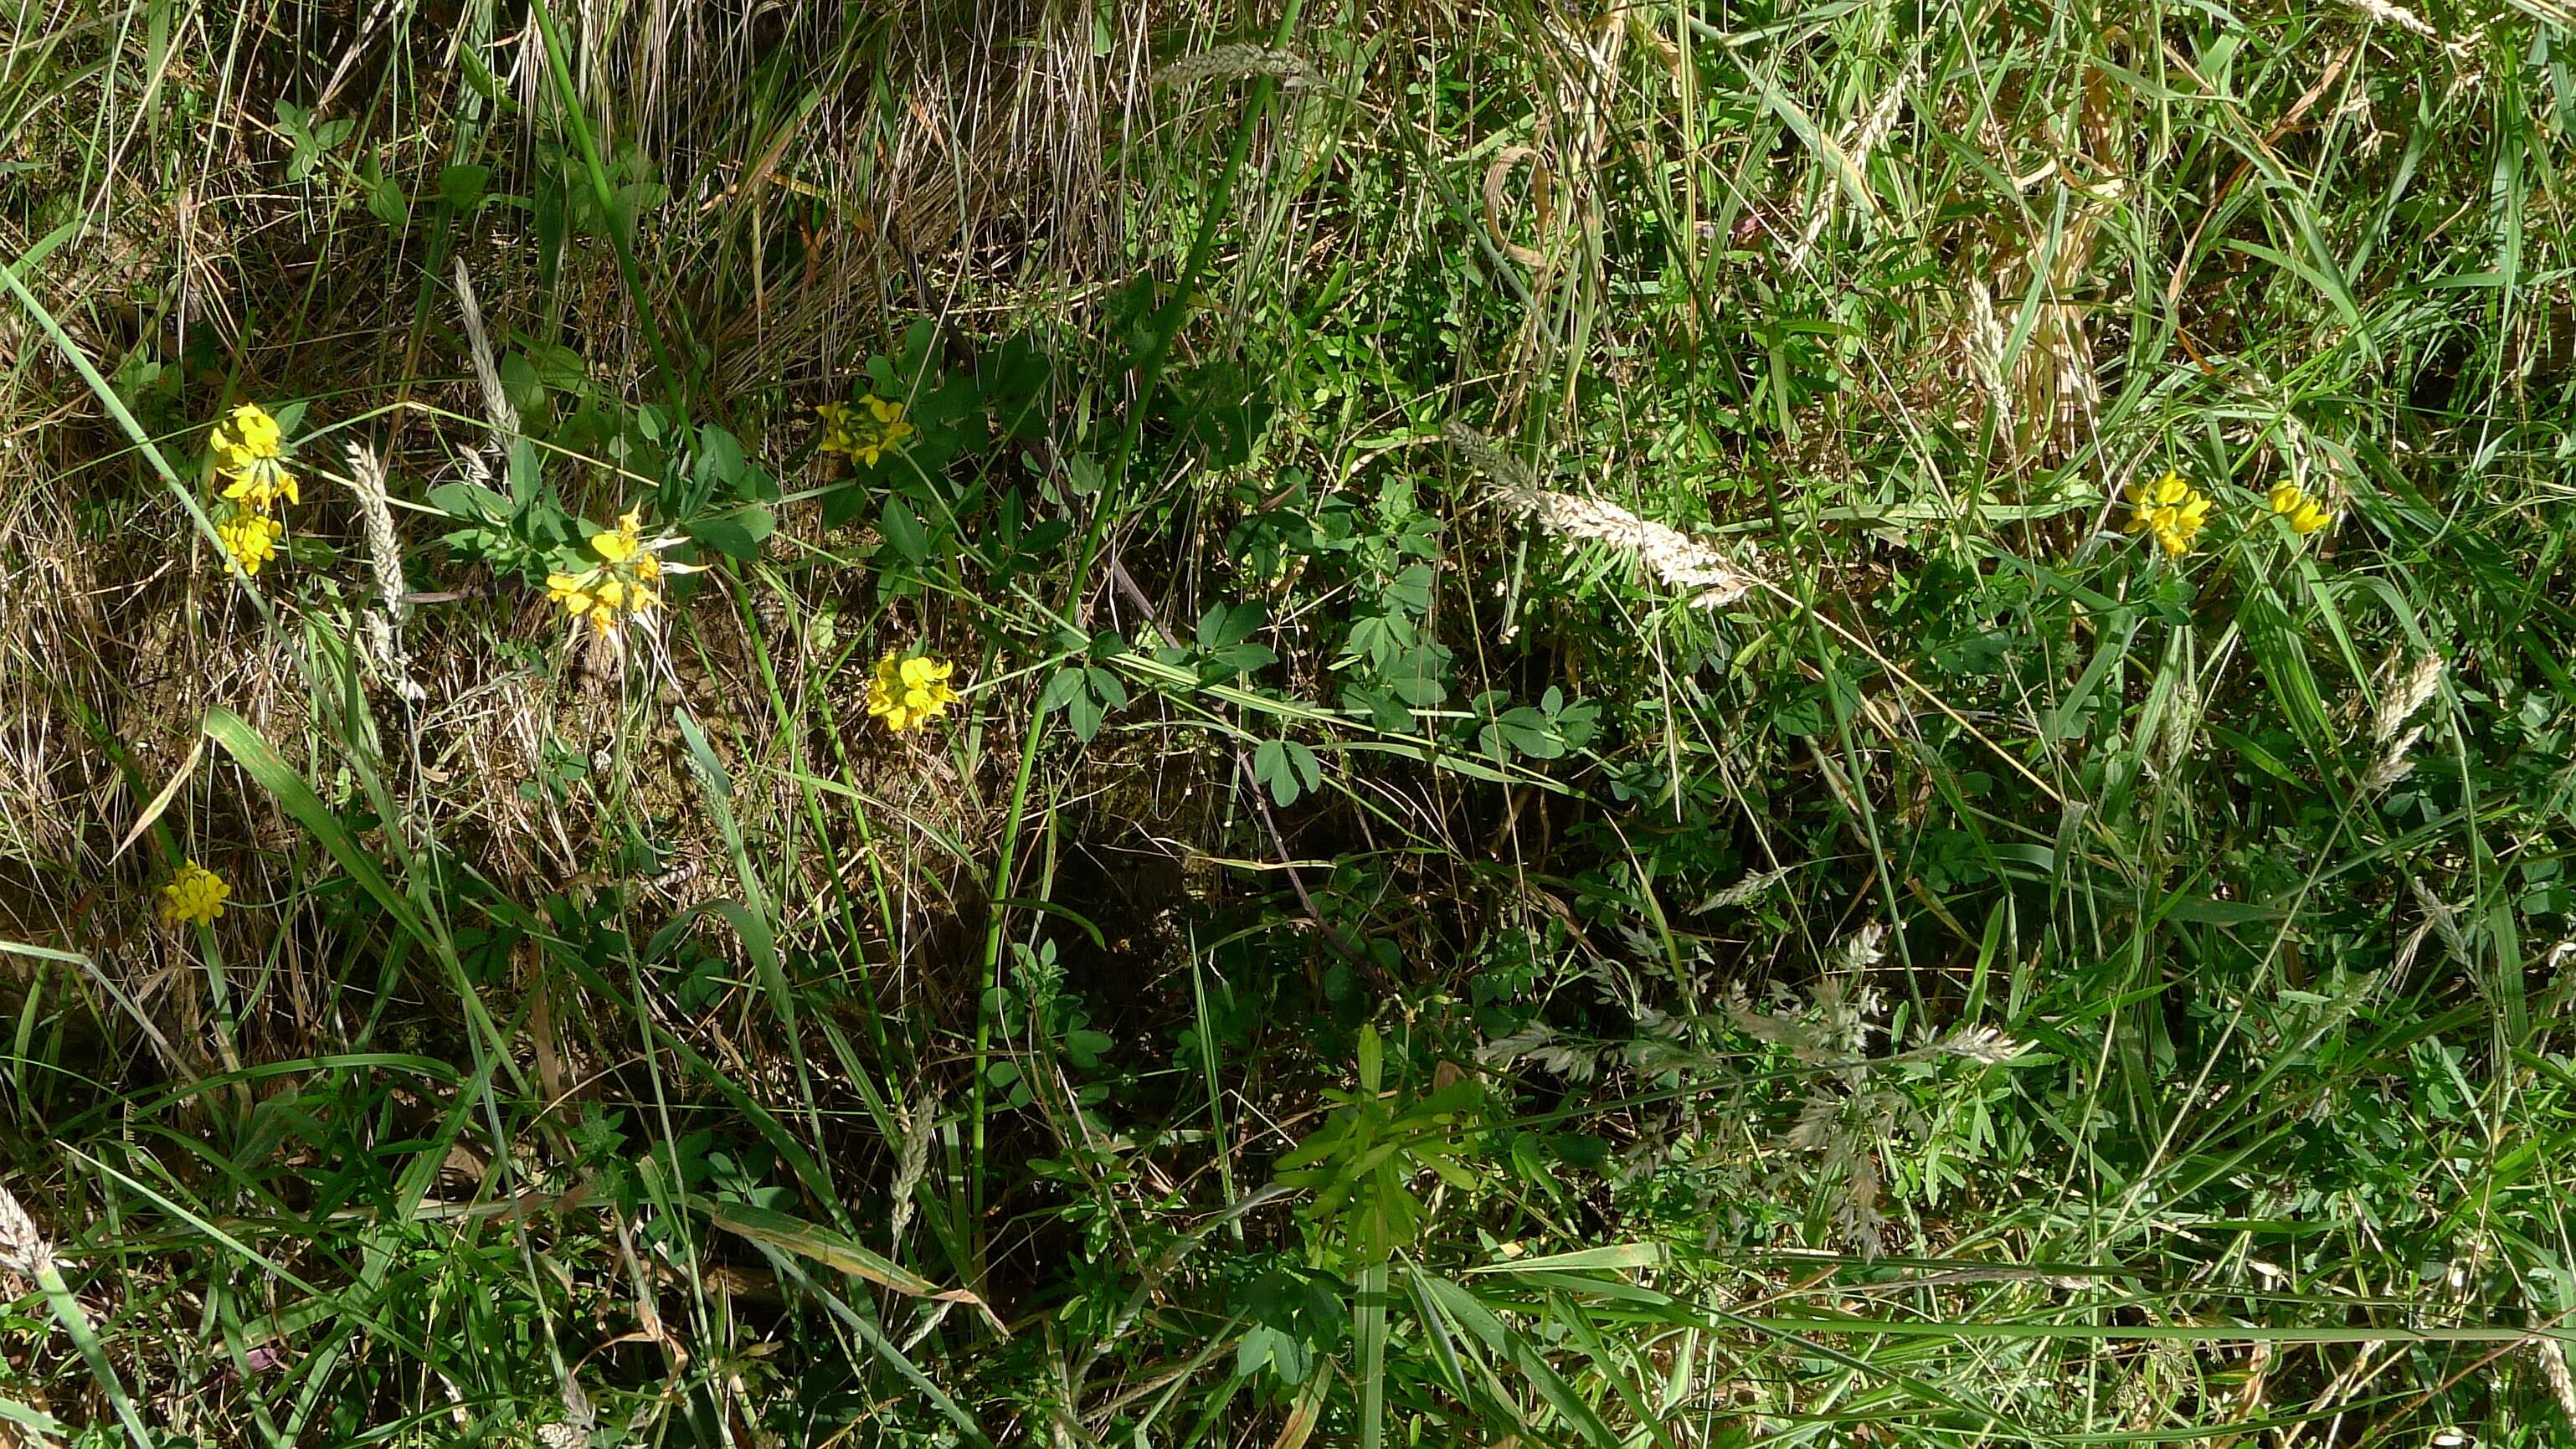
(983,192)
